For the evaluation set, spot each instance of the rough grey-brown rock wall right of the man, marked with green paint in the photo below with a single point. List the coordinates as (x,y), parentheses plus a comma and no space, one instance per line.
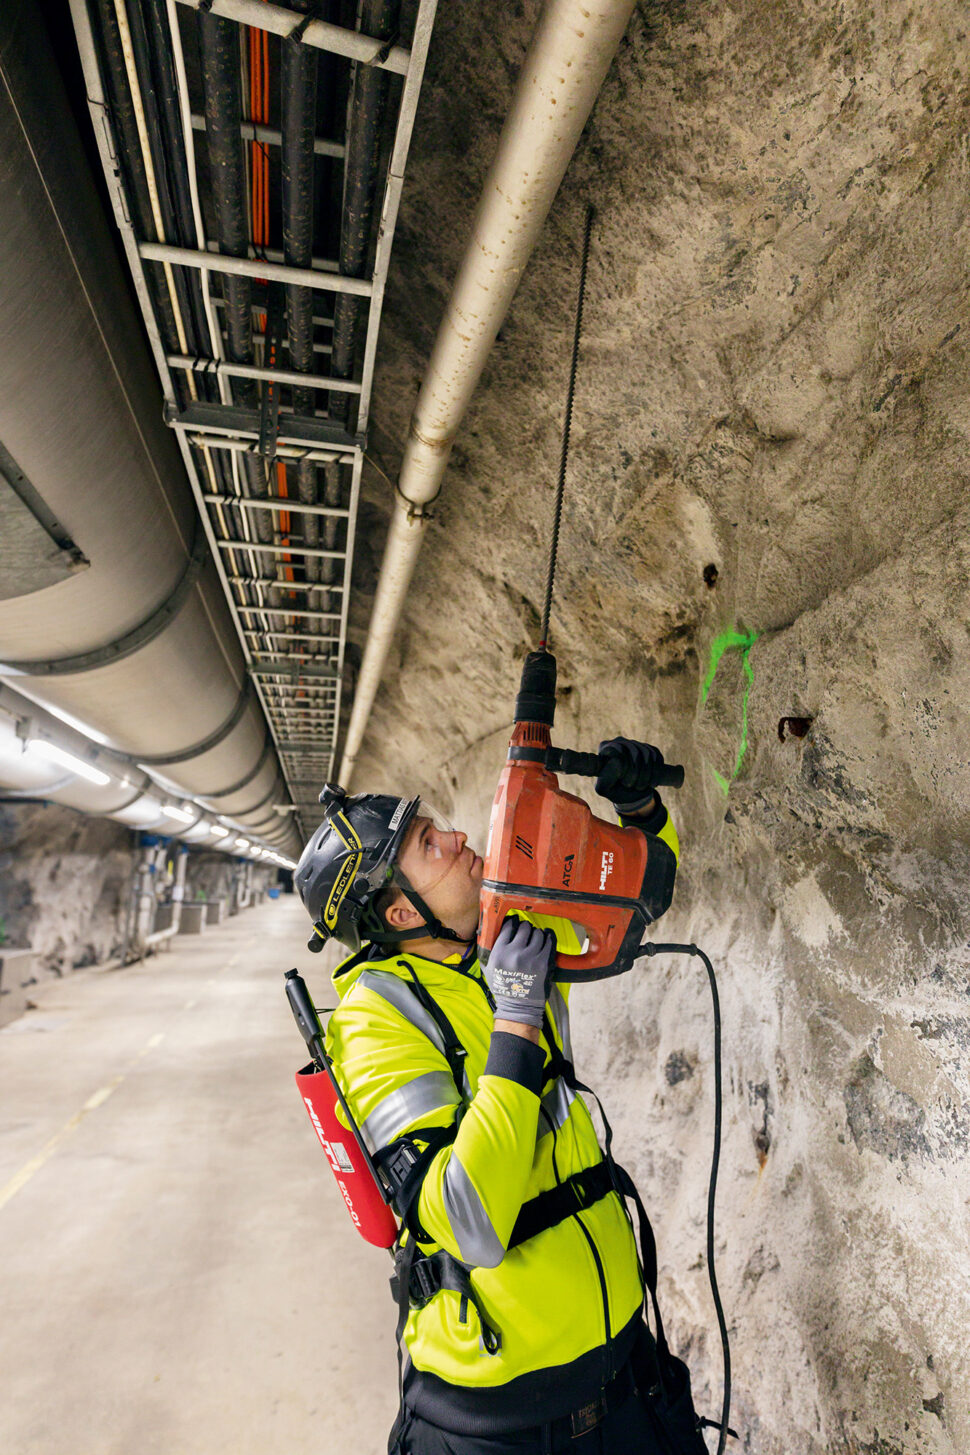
(774,383)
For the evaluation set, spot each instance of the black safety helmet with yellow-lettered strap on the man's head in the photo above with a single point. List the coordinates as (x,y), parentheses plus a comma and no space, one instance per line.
(347,865)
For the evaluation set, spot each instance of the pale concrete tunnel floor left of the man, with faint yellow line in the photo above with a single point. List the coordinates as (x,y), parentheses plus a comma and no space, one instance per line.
(180,1275)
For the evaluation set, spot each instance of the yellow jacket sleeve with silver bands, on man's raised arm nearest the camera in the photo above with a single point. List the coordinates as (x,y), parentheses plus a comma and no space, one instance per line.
(398,1082)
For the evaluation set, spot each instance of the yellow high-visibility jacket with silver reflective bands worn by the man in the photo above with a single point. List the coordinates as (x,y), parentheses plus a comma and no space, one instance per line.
(566,1303)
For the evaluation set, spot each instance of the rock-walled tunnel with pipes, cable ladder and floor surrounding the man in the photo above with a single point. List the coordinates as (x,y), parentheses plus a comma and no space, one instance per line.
(287,308)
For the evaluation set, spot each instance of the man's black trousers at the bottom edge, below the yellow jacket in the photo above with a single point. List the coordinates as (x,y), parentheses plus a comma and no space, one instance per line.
(623,1431)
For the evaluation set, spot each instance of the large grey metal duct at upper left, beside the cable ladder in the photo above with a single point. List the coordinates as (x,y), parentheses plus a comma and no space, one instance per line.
(136,639)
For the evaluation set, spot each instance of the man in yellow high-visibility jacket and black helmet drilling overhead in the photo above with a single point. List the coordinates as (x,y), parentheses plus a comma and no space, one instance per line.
(523,1306)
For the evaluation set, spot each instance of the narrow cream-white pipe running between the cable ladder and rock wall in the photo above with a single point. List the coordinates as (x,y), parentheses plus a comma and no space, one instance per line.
(558,87)
